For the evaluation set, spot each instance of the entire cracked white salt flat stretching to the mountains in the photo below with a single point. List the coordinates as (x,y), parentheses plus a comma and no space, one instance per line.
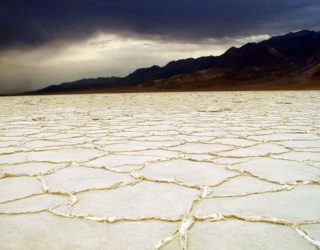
(219,170)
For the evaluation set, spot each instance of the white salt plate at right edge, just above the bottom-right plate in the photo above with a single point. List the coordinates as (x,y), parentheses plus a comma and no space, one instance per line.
(287,205)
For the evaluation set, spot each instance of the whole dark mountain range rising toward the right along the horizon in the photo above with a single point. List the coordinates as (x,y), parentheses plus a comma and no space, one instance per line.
(290,61)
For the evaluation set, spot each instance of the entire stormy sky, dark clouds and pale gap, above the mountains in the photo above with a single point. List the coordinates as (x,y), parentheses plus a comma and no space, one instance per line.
(44,42)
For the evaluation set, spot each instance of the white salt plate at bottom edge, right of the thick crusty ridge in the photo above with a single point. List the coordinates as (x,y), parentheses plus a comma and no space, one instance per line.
(244,235)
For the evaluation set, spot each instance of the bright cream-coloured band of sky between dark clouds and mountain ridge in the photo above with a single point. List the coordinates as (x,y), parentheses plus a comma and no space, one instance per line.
(100,56)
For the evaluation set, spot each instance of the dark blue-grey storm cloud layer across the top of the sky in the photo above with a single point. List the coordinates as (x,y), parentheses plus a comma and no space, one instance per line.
(37,22)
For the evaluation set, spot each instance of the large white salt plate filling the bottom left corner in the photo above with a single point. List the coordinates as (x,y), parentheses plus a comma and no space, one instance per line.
(45,231)
